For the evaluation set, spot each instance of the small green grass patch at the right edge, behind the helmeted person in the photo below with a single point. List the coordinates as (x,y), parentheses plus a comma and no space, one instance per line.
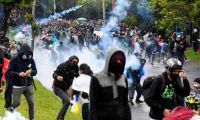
(191,56)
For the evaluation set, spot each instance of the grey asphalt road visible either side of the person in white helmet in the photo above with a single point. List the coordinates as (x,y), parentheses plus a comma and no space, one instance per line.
(141,111)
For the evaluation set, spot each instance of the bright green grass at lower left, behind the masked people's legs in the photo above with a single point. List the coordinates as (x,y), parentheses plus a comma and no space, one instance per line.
(47,105)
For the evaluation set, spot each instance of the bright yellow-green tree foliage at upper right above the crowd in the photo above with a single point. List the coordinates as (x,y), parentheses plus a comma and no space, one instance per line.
(166,13)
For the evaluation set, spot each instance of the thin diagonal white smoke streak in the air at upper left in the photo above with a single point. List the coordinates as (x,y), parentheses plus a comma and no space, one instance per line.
(58,15)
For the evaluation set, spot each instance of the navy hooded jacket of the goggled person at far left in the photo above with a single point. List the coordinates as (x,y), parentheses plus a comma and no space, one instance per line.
(17,65)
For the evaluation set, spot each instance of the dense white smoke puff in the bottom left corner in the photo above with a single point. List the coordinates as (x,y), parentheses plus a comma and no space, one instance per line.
(12,116)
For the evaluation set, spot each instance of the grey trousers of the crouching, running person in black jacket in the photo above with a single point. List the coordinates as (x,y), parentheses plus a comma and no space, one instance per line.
(65,100)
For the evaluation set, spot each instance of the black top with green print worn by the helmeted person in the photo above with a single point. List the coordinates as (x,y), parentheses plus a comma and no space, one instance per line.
(159,97)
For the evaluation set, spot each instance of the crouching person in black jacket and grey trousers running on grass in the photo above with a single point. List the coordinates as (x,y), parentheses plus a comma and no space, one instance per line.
(63,78)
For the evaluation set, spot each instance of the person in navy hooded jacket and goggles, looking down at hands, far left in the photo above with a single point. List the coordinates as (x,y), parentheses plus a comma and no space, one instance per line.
(20,71)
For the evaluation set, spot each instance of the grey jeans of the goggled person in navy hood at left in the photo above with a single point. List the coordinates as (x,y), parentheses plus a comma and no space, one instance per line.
(28,93)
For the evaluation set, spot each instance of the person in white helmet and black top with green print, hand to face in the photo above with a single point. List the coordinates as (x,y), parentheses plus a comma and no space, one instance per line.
(161,94)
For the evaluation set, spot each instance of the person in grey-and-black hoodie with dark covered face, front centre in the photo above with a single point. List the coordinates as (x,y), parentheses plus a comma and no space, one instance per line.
(109,90)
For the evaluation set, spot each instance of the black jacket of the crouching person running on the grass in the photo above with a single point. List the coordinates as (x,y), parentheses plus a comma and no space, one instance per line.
(67,72)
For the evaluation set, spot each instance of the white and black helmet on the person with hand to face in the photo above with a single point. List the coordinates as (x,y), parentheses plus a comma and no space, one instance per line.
(173,63)
